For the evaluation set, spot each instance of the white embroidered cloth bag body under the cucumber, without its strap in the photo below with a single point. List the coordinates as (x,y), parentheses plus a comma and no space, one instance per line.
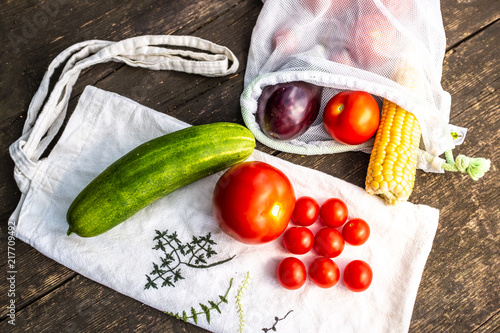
(231,280)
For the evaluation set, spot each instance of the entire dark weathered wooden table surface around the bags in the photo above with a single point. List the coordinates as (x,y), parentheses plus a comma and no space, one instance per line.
(459,290)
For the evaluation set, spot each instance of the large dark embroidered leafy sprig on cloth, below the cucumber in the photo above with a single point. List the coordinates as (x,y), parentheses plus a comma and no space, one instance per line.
(194,254)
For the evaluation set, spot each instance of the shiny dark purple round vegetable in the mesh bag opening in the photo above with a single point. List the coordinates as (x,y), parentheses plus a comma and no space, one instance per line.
(286,110)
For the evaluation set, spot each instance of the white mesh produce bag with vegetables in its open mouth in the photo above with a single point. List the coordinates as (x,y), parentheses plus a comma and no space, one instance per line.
(391,49)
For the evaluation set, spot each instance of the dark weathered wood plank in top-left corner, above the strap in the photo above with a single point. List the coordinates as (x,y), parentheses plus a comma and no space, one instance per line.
(38,33)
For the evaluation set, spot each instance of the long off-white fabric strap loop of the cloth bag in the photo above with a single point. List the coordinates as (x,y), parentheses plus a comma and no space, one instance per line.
(47,111)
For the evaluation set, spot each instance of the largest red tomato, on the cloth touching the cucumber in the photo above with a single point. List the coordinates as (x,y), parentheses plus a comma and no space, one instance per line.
(253,202)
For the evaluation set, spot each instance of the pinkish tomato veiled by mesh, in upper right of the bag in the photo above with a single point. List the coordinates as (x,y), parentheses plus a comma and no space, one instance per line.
(374,40)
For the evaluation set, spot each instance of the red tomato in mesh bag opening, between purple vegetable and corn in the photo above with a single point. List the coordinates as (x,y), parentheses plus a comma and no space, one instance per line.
(351,117)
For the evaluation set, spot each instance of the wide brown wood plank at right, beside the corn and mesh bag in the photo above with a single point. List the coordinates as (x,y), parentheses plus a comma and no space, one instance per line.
(462,270)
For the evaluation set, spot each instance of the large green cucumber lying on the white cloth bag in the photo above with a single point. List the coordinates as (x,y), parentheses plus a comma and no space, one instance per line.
(155,169)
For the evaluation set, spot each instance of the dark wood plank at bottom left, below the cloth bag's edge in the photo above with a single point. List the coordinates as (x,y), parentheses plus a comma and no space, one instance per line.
(81,305)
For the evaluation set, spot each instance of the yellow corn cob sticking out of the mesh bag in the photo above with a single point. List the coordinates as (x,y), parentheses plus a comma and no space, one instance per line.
(393,160)
